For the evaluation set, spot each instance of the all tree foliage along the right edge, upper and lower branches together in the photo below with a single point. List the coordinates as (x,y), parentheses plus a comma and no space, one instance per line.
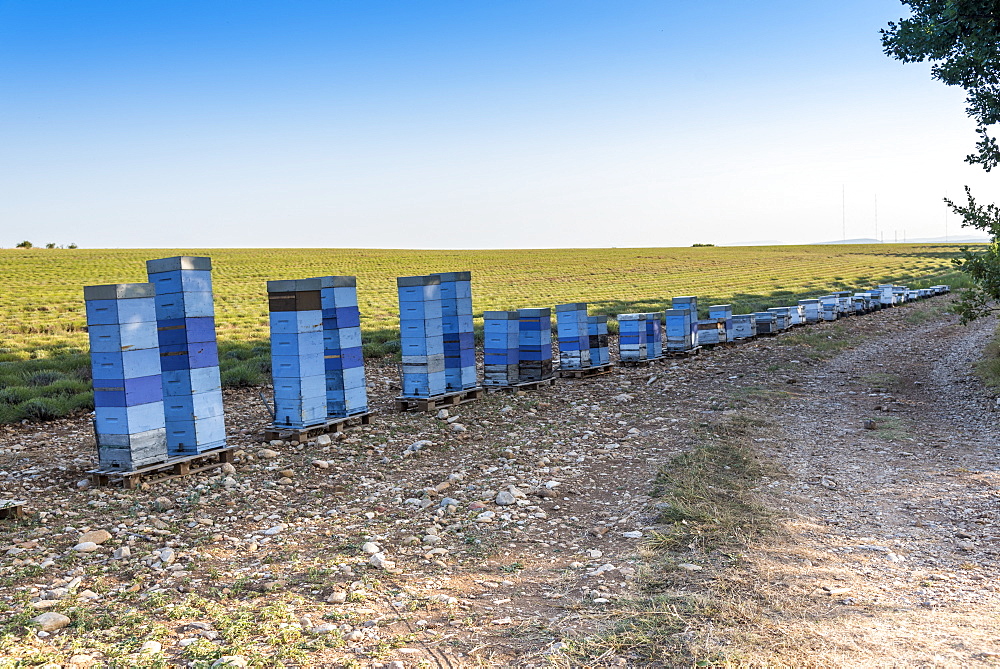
(961,40)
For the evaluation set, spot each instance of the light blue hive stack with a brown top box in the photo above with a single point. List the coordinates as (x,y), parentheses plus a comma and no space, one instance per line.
(297,365)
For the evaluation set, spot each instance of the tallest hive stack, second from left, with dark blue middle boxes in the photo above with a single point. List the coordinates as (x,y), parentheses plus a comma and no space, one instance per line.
(189,355)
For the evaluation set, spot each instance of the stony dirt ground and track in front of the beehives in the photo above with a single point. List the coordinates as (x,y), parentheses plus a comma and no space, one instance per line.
(508,530)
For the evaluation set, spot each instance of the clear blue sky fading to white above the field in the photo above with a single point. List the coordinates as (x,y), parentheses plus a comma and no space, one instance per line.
(541,124)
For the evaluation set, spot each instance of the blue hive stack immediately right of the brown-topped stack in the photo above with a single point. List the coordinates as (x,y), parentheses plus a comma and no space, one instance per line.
(343,360)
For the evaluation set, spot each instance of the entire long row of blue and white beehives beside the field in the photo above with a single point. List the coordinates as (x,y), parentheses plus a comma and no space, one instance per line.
(155,359)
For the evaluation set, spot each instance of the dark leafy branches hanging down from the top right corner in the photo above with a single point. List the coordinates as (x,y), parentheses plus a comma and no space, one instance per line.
(962,40)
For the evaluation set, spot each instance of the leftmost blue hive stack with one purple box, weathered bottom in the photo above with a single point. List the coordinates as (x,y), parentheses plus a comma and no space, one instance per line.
(125,361)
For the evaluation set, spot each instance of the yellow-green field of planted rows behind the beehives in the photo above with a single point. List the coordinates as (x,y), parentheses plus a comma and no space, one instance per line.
(43,341)
